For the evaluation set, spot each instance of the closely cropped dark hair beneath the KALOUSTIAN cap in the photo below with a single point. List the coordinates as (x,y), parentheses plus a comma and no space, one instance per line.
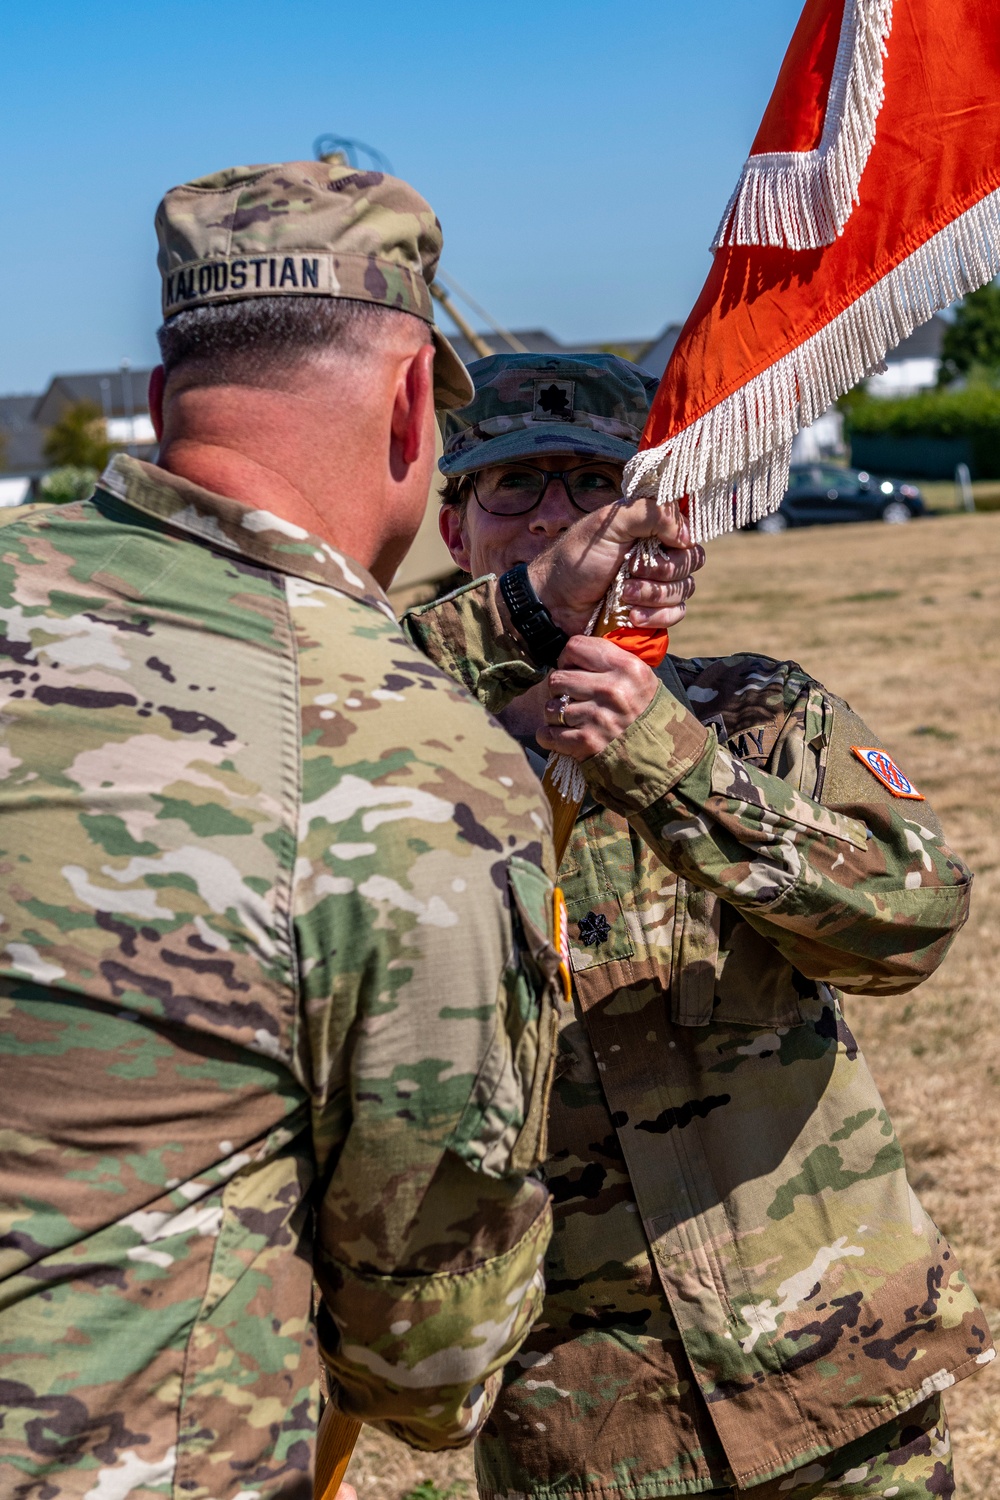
(245,343)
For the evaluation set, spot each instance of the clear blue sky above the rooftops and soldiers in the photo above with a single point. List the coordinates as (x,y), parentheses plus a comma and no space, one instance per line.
(578,152)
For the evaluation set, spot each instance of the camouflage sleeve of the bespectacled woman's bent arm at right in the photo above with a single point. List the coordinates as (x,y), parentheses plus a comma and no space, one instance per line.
(863,895)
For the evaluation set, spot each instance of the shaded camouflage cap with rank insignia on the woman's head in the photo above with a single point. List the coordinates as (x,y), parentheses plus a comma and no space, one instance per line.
(533,404)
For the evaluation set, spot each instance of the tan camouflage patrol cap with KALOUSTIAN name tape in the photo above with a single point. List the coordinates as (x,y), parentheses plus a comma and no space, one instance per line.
(307,229)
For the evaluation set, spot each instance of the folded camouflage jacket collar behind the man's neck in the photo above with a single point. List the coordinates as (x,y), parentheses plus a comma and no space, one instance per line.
(223,523)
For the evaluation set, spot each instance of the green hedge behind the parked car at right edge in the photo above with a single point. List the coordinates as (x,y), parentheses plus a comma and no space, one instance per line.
(942,416)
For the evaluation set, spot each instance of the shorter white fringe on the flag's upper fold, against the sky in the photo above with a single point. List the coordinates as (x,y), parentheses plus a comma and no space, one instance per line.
(803,200)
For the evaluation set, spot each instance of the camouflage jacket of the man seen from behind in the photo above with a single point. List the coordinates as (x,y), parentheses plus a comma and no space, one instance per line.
(275,964)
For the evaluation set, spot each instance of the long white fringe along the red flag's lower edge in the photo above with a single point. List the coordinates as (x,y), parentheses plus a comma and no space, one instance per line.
(734,461)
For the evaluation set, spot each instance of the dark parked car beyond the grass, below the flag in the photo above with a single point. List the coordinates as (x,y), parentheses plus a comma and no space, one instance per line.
(822,494)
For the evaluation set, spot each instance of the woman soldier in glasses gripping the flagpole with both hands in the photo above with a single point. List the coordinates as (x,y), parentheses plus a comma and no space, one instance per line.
(743,1292)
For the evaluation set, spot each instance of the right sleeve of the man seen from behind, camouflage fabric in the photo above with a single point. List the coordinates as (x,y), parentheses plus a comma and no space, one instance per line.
(424,920)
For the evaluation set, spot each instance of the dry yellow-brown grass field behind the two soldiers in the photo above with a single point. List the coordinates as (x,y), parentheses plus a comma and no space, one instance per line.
(905,623)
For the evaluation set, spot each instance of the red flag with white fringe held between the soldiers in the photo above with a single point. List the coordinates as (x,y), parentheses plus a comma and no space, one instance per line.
(870,199)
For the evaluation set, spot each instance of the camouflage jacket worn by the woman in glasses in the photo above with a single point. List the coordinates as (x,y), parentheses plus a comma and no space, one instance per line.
(740,1277)
